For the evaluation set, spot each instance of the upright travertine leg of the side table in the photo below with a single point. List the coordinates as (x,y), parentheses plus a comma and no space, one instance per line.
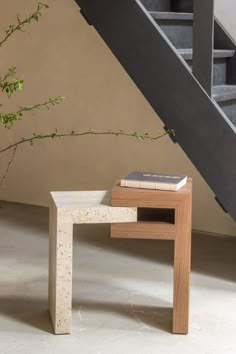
(60,272)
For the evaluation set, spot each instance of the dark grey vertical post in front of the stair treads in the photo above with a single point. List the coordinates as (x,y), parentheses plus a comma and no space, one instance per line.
(203,43)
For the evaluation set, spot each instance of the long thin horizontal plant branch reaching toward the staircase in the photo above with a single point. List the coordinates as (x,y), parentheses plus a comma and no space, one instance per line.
(54,135)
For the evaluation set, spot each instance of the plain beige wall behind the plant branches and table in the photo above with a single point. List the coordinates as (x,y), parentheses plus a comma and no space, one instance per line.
(63,56)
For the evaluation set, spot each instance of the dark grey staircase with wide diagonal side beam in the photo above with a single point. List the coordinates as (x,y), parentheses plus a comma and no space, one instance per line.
(184,63)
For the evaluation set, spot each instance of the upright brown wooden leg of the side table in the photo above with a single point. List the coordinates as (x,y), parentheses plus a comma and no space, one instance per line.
(182,259)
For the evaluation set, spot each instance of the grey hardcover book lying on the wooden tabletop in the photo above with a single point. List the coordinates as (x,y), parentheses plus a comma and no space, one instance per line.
(150,180)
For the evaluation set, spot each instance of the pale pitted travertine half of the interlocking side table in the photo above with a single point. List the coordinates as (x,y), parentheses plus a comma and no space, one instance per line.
(66,209)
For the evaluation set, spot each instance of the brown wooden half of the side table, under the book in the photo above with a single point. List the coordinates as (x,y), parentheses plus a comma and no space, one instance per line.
(162,215)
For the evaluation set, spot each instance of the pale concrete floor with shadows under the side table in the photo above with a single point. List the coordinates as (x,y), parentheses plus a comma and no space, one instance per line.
(122,293)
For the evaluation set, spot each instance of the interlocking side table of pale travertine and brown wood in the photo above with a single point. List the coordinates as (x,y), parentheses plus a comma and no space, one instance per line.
(135,213)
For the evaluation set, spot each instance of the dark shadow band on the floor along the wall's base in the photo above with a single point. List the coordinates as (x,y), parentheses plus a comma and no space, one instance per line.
(213,256)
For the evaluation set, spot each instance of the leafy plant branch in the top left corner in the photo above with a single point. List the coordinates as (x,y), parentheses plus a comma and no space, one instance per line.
(21,23)
